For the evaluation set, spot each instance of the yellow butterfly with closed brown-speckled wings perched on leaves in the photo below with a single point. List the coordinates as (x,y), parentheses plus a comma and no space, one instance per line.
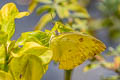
(72,49)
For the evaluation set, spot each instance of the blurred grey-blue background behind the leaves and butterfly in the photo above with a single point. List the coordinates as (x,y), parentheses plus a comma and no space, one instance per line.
(27,24)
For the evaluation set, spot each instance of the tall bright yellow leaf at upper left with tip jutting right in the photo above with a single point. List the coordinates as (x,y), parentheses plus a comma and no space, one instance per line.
(8,14)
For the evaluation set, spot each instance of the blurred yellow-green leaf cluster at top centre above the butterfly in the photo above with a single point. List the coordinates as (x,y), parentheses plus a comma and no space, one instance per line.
(68,10)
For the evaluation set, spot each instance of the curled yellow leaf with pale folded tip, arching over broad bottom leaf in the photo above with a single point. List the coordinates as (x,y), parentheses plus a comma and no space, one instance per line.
(44,53)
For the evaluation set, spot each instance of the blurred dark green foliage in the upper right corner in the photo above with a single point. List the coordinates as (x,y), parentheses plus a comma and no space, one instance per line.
(110,11)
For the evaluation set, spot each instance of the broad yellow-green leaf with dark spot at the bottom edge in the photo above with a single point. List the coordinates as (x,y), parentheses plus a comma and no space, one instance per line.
(27,67)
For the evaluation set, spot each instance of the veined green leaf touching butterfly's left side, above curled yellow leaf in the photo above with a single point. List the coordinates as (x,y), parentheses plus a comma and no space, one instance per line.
(36,36)
